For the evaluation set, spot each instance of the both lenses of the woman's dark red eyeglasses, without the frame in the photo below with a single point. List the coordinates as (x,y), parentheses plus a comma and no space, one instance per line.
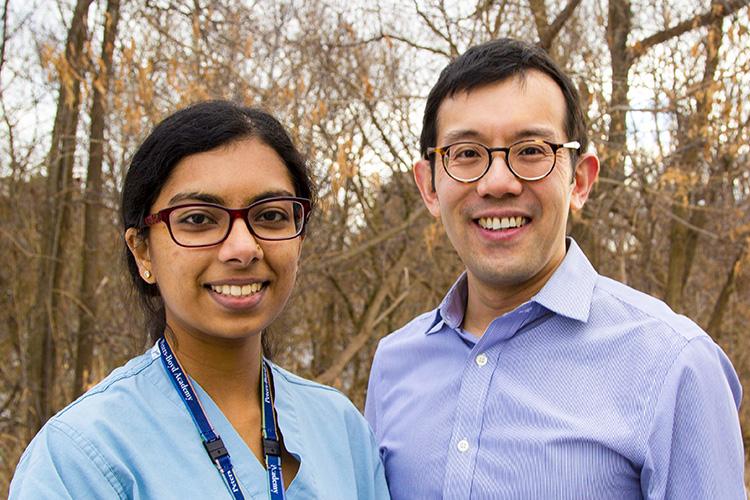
(196,225)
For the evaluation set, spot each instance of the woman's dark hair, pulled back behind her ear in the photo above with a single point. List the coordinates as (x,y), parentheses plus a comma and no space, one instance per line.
(201,127)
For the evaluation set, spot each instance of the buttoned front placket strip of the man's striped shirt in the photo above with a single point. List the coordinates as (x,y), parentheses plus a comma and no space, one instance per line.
(475,385)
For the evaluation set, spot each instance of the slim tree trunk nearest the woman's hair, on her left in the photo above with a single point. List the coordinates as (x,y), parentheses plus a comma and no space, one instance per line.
(93,204)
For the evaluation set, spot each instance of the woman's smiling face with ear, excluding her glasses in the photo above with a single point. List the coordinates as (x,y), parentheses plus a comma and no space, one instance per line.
(199,286)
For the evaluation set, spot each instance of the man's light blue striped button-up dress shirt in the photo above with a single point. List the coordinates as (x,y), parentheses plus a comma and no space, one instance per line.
(591,390)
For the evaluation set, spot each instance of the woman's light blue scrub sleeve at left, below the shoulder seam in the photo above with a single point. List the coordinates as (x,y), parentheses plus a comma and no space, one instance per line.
(60,464)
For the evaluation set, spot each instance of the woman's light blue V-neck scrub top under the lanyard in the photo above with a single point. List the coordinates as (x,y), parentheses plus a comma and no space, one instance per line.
(131,437)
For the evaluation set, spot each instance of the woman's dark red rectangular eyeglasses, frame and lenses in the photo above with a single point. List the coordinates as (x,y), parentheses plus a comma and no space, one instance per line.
(195,225)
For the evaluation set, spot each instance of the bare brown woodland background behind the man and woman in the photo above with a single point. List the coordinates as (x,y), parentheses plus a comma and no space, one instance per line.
(665,85)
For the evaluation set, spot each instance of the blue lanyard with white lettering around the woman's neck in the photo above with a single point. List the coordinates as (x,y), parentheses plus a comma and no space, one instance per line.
(212,441)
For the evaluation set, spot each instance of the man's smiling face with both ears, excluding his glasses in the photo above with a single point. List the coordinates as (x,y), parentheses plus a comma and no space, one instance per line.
(524,255)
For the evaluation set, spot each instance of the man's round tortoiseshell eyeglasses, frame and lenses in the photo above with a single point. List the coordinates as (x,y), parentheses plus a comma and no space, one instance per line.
(530,160)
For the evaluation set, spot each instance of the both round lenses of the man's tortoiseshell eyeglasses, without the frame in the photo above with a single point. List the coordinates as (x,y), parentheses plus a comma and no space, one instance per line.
(530,159)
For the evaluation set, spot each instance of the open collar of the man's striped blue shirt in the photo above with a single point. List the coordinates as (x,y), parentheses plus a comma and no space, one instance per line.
(568,292)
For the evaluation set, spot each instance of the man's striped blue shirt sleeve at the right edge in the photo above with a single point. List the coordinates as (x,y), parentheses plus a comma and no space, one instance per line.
(694,447)
